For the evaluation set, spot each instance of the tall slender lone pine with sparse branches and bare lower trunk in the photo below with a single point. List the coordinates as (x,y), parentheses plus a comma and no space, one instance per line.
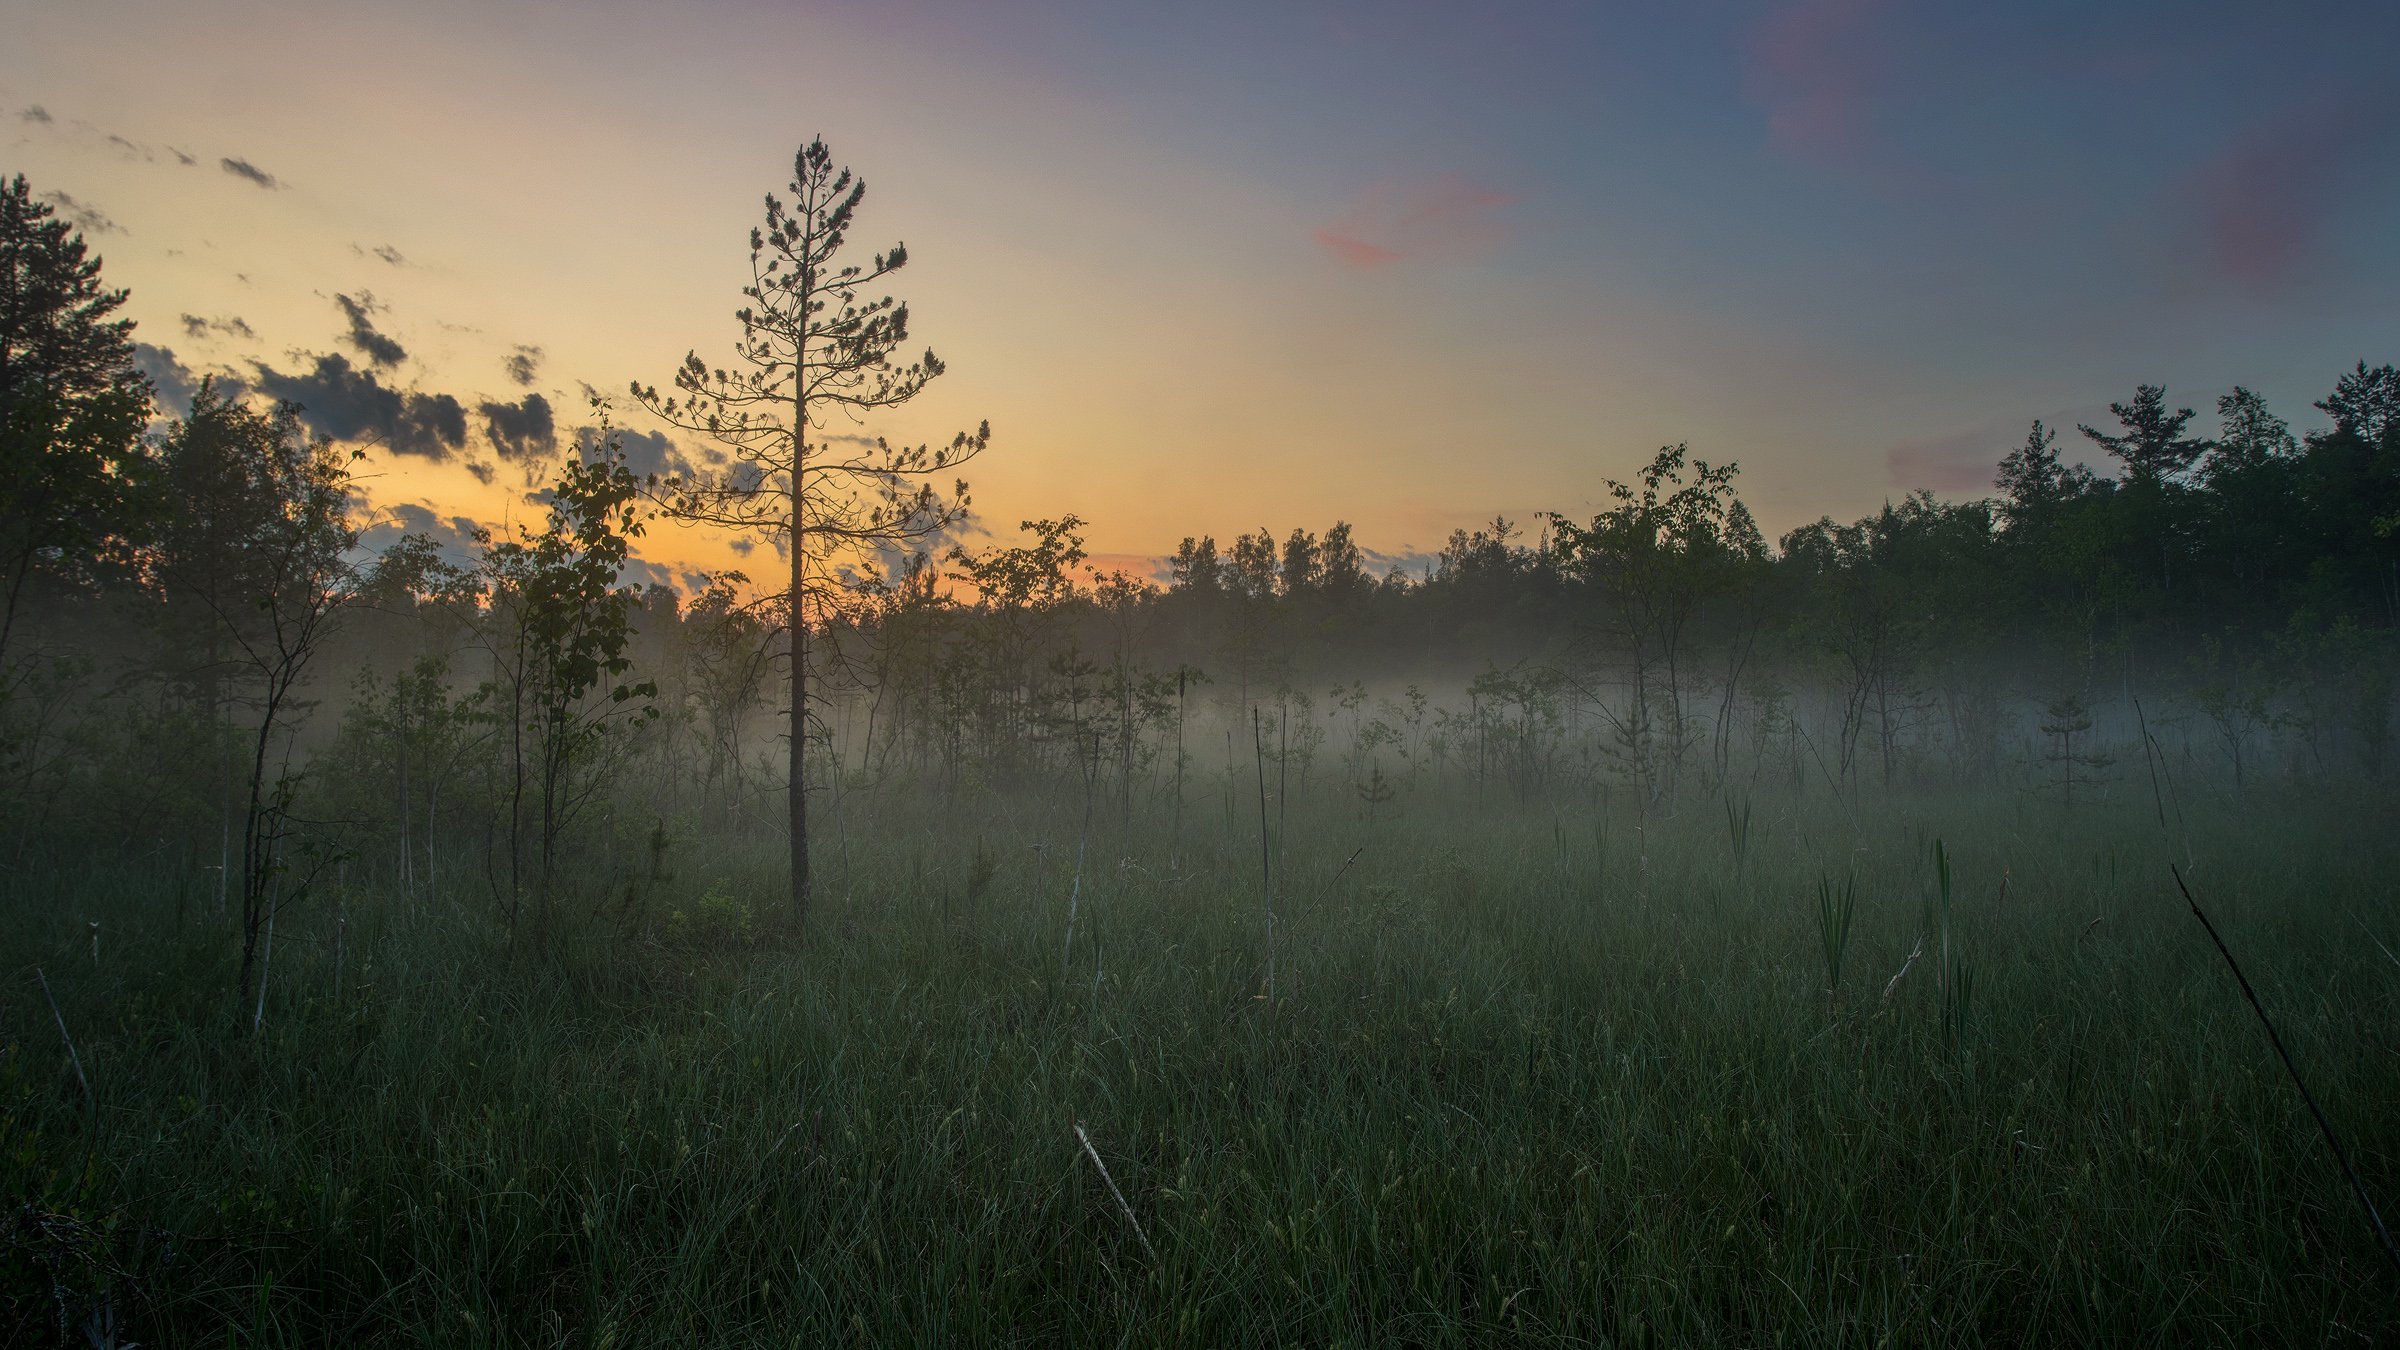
(815,345)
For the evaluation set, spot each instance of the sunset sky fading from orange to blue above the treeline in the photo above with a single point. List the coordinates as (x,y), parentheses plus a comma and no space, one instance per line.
(1252,265)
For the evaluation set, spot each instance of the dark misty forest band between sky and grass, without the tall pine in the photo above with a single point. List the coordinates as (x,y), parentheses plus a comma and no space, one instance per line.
(200,657)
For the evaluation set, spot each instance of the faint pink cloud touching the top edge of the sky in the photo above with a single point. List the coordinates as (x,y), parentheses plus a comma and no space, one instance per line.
(1816,73)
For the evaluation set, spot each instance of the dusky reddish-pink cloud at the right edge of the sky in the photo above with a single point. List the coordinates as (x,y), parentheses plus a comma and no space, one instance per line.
(2267,201)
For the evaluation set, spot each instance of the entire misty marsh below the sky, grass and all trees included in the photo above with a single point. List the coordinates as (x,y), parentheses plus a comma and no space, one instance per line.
(1614,933)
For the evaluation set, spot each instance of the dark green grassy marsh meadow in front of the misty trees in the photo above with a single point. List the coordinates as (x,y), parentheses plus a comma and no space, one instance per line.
(1528,1075)
